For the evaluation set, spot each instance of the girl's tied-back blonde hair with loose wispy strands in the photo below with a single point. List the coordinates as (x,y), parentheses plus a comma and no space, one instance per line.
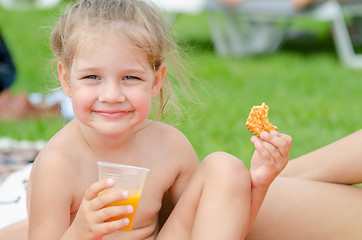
(141,22)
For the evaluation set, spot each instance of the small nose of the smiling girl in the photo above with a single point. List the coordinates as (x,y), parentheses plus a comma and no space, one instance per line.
(112,92)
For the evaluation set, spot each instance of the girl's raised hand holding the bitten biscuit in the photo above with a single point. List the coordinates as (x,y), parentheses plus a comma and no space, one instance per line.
(270,157)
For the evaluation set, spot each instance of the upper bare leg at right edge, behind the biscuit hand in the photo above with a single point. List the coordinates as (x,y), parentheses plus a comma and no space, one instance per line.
(338,162)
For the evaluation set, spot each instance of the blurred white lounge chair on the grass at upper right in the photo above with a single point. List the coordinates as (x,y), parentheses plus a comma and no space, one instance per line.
(260,26)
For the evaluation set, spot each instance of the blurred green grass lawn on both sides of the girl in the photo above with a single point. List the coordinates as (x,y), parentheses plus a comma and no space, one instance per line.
(312,97)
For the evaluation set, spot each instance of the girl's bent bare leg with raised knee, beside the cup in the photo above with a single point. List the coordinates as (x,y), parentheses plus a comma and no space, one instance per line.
(215,205)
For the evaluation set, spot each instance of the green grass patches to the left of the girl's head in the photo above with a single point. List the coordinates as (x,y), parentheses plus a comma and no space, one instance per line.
(27,36)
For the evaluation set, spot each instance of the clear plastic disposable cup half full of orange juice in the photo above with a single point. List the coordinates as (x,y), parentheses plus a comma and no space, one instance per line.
(126,178)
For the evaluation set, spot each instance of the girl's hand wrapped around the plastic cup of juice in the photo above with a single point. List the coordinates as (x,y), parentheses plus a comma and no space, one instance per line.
(89,222)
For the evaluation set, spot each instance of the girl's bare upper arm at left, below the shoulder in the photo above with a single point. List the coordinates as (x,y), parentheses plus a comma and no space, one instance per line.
(48,199)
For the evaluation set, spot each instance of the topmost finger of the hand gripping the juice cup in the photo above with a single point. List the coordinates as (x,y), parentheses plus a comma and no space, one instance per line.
(109,196)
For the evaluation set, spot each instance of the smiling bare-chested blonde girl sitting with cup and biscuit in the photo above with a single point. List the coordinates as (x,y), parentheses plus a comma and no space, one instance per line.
(111,63)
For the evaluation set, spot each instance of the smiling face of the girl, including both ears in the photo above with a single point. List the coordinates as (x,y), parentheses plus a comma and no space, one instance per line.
(111,83)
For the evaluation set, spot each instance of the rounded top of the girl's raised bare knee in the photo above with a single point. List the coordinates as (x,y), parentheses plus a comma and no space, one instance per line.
(229,171)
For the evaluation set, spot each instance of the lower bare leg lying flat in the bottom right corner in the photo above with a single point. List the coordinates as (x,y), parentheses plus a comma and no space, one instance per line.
(301,209)
